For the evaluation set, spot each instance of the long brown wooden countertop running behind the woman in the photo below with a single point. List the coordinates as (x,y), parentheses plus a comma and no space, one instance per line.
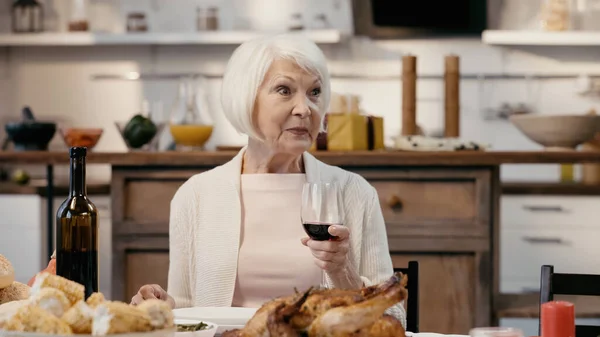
(350,158)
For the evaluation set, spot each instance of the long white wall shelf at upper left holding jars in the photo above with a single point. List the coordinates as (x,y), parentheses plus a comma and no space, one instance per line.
(195,38)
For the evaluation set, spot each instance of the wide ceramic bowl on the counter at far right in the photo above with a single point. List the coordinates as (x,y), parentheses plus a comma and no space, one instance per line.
(557,132)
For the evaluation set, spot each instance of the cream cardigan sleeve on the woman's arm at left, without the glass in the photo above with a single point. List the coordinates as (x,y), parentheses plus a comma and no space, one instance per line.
(179,253)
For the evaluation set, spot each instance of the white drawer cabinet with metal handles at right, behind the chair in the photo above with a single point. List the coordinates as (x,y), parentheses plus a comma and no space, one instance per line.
(553,229)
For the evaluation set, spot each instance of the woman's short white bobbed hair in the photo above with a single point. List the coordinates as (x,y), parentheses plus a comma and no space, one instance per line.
(250,62)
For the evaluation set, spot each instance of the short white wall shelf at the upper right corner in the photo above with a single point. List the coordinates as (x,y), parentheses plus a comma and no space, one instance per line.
(541,38)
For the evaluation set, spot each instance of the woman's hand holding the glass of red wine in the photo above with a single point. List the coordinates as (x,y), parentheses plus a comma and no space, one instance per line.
(331,255)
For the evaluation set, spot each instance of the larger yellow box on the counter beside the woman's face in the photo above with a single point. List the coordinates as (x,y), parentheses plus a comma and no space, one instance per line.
(346,132)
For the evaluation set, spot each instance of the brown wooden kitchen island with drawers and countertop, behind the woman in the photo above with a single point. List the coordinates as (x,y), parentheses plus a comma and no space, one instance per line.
(441,209)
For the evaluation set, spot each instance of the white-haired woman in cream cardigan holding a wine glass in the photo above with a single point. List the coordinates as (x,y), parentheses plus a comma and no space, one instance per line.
(235,235)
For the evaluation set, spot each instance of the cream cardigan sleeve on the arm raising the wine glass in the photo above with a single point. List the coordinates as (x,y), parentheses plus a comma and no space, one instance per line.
(376,262)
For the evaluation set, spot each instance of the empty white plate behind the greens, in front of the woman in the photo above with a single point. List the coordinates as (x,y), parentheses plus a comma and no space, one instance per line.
(226,318)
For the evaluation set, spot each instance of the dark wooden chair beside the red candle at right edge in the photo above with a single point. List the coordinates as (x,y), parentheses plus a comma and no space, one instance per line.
(552,283)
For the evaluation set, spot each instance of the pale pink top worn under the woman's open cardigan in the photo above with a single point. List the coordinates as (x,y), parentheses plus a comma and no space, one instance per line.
(272,260)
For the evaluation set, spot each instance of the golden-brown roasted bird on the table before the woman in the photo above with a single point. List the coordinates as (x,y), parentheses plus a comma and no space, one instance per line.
(330,313)
